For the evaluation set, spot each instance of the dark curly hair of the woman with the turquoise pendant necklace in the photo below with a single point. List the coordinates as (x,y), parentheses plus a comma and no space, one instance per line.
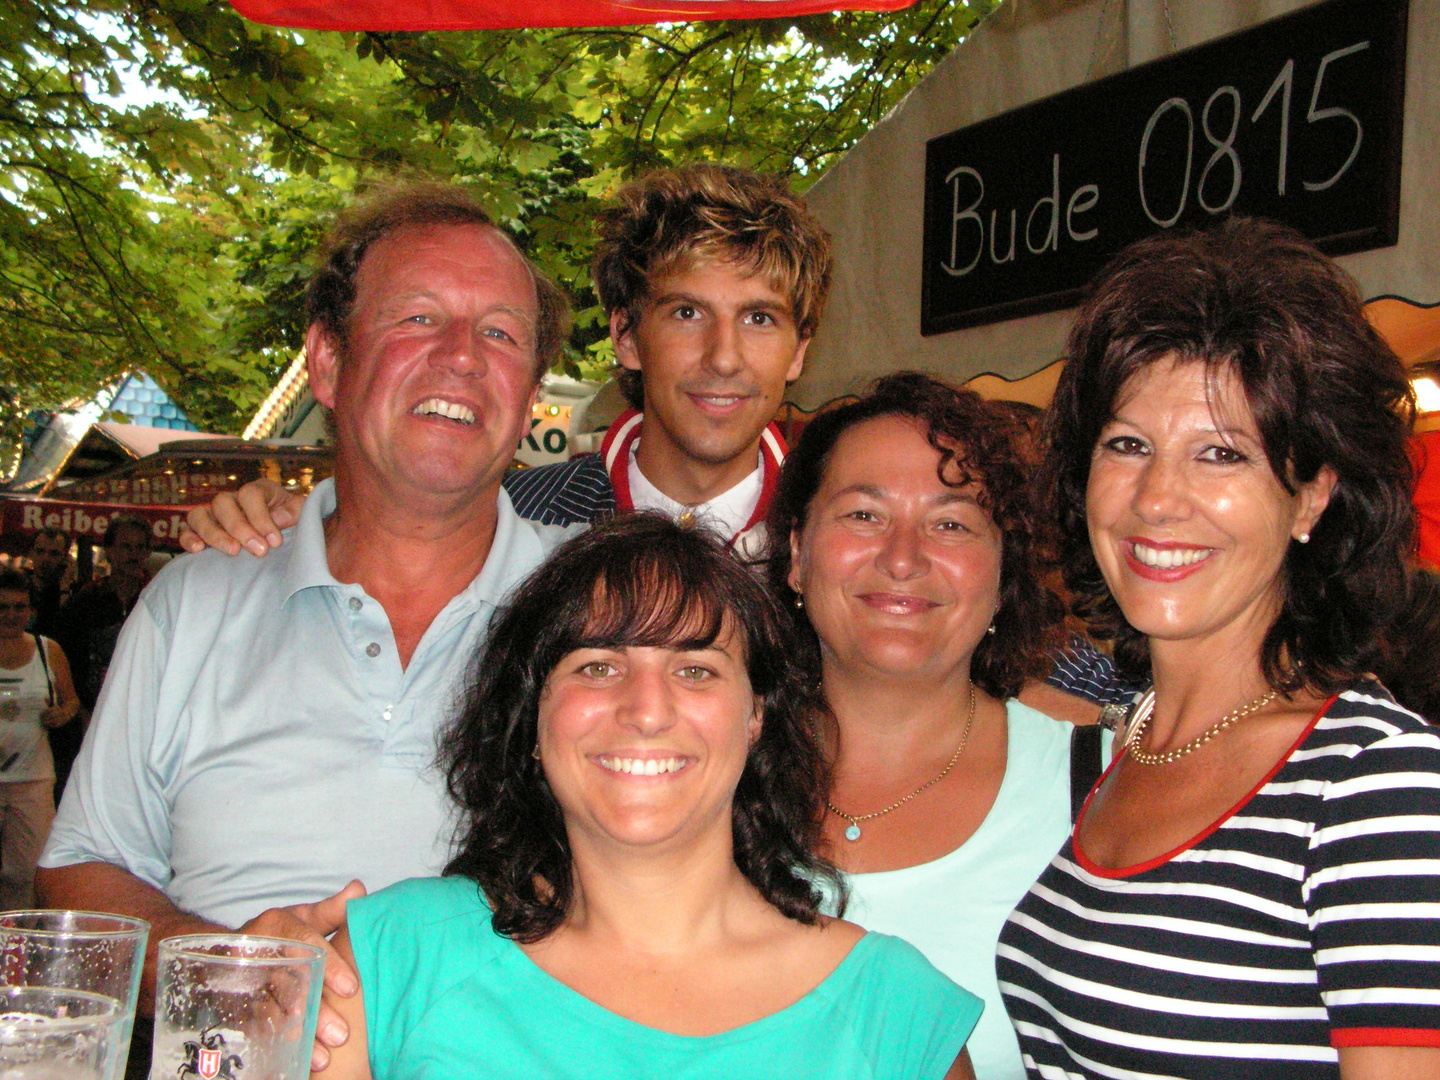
(977,444)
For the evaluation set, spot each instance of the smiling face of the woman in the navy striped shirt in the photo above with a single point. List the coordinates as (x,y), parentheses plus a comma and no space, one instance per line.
(1189,522)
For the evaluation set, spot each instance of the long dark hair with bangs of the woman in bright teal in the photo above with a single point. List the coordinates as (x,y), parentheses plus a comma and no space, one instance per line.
(636,581)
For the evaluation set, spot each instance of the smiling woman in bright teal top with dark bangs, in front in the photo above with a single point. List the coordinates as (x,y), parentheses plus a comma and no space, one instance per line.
(637,892)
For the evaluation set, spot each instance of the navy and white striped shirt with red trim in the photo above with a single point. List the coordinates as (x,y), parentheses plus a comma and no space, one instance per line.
(1305,919)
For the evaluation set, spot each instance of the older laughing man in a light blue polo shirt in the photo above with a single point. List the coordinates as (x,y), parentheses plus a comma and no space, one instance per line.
(269,728)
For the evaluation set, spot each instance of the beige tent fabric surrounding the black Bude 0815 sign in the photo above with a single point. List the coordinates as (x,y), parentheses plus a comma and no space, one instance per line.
(872,199)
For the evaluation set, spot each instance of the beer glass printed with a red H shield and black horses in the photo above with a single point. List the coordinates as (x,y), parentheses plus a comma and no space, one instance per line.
(235,1007)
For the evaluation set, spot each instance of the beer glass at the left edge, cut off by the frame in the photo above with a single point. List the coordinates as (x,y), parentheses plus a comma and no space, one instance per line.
(68,989)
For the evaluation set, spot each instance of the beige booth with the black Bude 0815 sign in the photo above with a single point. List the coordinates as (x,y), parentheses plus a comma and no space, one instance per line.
(971,218)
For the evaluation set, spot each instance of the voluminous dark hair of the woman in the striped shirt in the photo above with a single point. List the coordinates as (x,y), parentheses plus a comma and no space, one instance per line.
(1258,300)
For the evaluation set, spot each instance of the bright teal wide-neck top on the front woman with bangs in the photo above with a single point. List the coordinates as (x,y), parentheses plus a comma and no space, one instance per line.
(446,996)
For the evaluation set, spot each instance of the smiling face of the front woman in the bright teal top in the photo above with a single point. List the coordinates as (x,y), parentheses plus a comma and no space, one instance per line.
(646,747)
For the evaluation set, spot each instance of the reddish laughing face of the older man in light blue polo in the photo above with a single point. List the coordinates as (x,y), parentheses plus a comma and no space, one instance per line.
(433,388)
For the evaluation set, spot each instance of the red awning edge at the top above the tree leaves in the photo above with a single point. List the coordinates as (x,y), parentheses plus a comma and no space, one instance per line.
(513,15)
